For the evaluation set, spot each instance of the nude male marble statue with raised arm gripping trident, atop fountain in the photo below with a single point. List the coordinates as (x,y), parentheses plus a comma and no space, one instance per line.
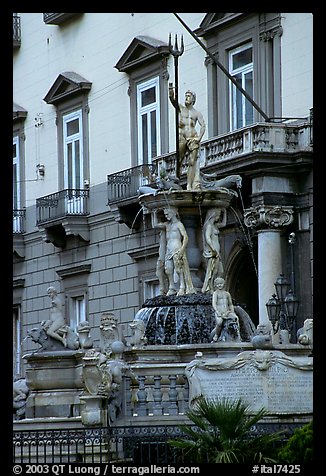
(189,138)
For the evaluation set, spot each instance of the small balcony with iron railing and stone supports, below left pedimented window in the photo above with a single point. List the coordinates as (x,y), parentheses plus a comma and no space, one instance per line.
(62,214)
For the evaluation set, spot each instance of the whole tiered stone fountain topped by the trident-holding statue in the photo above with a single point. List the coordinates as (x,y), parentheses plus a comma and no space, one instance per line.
(189,258)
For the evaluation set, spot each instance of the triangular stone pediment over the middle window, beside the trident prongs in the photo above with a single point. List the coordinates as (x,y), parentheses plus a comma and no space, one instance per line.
(141,50)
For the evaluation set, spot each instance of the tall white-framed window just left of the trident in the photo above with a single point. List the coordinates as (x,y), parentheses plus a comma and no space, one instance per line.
(148,119)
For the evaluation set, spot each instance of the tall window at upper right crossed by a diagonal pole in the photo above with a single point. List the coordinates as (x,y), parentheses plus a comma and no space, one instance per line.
(241,68)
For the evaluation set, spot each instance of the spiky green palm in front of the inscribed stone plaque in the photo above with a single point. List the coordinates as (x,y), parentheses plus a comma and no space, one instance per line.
(222,434)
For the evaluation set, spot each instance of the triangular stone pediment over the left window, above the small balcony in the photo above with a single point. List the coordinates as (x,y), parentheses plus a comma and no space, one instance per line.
(66,85)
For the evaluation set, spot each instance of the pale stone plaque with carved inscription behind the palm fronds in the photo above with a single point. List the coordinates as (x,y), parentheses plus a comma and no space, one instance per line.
(266,379)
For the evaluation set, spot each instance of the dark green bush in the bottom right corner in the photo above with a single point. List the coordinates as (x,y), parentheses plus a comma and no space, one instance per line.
(299,447)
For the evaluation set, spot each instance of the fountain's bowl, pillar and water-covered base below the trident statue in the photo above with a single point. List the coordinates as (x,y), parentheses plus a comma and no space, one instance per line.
(176,317)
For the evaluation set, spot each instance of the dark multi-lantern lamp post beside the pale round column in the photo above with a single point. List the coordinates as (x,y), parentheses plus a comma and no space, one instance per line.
(282,308)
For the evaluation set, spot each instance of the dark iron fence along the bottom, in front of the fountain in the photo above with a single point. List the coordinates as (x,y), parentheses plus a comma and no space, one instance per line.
(124,444)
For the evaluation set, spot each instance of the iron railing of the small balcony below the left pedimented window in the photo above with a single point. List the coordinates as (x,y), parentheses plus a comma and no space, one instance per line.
(69,202)
